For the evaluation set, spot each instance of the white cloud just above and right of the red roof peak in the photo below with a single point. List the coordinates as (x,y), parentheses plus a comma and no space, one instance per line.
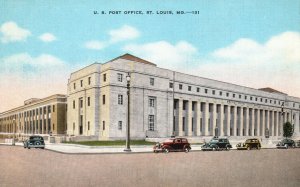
(164,53)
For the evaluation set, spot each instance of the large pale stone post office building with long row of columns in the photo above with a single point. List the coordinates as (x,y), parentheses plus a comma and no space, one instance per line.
(164,103)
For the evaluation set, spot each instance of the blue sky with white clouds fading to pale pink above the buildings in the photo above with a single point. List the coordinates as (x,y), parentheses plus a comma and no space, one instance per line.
(61,36)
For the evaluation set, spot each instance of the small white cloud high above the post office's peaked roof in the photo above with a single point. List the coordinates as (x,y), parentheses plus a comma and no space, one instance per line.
(123,33)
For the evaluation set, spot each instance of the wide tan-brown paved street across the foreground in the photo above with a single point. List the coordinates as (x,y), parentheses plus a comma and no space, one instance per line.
(36,167)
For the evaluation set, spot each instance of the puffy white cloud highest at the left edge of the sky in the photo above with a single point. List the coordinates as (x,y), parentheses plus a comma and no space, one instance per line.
(11,32)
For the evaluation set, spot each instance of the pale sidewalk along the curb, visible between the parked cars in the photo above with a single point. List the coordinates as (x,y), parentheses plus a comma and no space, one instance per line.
(82,149)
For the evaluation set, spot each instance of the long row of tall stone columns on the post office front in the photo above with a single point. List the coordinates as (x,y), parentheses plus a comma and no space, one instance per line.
(209,118)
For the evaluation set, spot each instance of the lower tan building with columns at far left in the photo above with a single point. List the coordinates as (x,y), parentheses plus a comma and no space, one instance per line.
(37,116)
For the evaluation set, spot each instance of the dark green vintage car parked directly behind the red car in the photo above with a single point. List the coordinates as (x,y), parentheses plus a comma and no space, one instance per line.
(216,144)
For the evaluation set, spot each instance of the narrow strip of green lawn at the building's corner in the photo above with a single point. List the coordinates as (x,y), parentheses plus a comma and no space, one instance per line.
(111,143)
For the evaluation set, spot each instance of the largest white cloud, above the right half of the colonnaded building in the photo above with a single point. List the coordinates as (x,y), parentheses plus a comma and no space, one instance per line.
(275,63)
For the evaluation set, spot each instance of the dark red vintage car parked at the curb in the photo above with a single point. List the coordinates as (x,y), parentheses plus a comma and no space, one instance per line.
(172,144)
